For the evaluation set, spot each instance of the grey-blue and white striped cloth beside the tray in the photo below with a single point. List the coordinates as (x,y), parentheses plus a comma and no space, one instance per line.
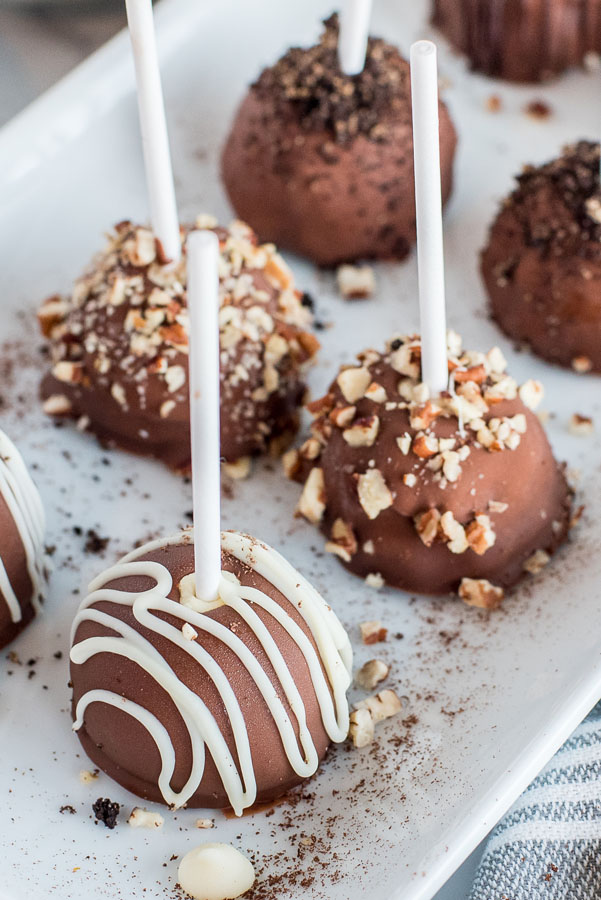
(548,846)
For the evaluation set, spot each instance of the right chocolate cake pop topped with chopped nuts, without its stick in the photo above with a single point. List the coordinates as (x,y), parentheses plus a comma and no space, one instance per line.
(461,492)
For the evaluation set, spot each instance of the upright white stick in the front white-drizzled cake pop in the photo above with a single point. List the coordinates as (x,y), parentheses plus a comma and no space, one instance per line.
(203,377)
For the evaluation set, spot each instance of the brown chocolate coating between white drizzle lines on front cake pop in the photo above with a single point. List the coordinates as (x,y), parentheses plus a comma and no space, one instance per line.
(118,744)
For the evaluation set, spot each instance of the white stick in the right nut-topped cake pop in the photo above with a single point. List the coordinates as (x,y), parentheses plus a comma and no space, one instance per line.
(428,210)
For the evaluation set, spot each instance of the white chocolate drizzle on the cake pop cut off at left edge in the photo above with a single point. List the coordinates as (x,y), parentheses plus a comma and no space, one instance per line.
(25,507)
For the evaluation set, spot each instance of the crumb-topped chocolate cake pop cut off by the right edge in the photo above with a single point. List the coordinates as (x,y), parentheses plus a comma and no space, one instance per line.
(542,263)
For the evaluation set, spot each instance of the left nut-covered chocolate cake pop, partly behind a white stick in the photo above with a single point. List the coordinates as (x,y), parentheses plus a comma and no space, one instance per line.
(120,347)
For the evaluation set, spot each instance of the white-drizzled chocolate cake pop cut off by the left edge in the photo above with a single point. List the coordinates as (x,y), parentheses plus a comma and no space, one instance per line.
(22,574)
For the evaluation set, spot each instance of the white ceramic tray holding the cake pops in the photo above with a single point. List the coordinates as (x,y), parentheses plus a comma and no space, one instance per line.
(490,696)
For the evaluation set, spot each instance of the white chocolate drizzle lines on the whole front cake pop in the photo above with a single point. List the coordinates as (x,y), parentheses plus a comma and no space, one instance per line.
(334,656)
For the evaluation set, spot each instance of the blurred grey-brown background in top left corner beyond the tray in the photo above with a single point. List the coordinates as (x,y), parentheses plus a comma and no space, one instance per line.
(40,42)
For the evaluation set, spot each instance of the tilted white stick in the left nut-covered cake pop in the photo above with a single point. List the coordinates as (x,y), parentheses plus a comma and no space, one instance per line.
(155,141)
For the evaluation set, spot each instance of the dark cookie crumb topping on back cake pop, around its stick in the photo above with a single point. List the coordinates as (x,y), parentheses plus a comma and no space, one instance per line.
(311,82)
